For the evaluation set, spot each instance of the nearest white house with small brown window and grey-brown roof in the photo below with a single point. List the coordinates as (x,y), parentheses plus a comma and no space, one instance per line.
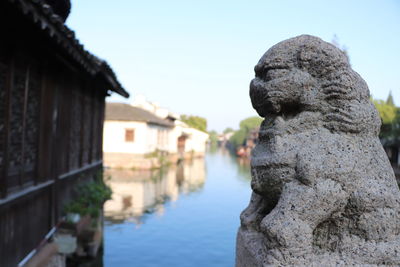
(131,132)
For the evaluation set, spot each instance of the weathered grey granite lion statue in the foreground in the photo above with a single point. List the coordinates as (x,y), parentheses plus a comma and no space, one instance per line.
(324,193)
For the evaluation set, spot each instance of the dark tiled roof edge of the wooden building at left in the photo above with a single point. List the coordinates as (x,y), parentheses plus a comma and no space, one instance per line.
(46,20)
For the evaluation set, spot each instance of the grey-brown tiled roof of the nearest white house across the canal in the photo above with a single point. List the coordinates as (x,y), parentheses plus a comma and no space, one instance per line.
(126,112)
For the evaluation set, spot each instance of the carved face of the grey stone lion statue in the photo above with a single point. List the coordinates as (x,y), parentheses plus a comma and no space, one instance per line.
(280,85)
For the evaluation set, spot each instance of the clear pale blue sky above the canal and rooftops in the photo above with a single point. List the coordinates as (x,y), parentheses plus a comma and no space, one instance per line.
(197,57)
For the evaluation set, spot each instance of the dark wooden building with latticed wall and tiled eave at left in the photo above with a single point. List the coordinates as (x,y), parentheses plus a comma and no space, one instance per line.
(52,99)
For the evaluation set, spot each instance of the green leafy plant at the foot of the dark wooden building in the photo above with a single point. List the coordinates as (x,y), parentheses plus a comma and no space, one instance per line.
(91,197)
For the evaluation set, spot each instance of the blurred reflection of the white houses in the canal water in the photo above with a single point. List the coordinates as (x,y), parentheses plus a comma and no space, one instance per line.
(138,192)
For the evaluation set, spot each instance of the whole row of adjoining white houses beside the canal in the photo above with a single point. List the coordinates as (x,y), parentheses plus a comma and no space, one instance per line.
(135,135)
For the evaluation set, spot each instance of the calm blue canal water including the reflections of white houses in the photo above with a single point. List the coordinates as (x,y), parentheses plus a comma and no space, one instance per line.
(186,215)
